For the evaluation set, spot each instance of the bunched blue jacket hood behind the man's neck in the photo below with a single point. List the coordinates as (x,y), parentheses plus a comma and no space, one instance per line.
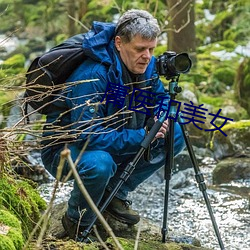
(98,42)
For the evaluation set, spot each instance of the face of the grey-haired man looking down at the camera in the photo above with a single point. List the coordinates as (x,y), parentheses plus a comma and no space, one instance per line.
(137,53)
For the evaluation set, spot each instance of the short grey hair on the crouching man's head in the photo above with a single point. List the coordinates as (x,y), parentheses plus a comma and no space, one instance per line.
(137,22)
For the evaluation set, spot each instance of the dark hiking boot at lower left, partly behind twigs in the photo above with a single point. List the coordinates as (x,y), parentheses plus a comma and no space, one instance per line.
(75,231)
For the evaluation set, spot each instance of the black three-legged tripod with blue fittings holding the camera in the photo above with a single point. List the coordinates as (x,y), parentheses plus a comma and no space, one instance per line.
(173,90)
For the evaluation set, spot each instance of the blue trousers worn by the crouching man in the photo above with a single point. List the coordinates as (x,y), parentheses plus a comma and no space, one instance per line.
(100,170)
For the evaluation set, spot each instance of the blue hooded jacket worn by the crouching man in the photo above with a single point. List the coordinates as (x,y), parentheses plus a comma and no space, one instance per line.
(100,123)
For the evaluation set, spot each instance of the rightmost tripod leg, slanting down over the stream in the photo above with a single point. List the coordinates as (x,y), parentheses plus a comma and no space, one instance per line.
(200,180)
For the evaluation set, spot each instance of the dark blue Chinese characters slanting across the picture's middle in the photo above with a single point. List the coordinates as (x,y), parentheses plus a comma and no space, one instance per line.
(145,100)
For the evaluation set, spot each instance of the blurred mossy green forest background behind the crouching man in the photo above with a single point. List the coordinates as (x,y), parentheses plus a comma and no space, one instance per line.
(214,33)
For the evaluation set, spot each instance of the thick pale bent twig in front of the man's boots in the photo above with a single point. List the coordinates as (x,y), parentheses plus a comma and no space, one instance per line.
(66,155)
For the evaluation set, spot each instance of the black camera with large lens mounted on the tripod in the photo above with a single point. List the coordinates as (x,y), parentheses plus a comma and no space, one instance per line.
(171,65)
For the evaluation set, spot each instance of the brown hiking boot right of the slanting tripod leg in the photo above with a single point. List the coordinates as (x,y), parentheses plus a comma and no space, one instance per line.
(121,211)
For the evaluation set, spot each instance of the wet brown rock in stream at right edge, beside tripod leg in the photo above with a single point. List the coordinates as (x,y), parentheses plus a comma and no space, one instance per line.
(231,169)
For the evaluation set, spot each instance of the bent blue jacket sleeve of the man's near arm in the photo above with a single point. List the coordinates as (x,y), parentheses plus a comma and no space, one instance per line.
(89,120)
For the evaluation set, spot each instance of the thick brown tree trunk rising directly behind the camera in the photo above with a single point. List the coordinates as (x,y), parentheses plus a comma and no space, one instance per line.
(181,27)
